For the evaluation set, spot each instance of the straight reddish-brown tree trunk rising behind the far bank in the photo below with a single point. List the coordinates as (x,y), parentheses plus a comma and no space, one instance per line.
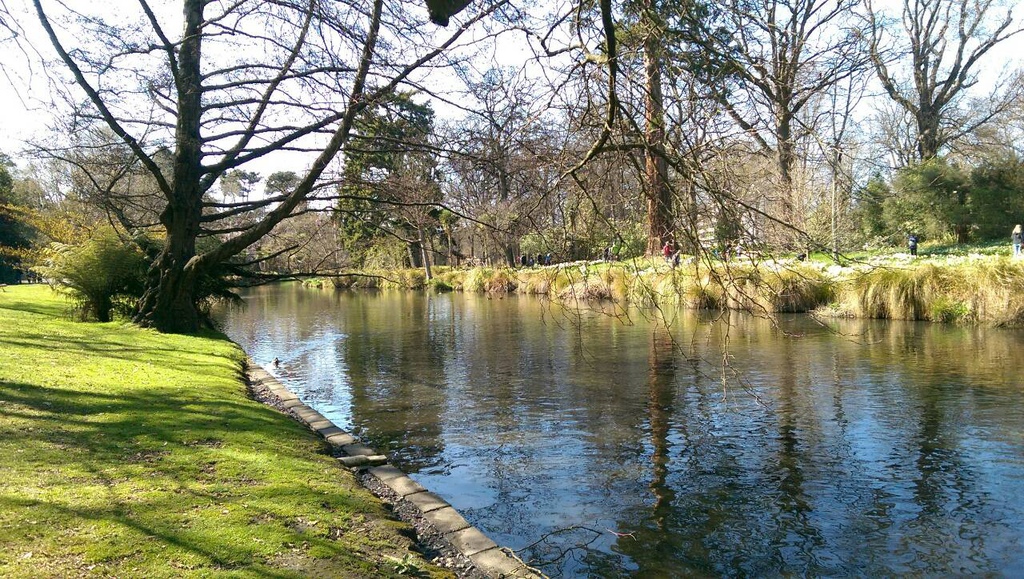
(657,169)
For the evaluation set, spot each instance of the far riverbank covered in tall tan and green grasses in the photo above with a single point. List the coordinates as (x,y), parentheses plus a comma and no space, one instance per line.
(972,288)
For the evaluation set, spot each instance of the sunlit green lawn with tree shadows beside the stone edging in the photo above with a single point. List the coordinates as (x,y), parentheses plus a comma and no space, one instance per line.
(130,453)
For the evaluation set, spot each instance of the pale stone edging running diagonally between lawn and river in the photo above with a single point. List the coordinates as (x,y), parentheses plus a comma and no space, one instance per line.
(485,558)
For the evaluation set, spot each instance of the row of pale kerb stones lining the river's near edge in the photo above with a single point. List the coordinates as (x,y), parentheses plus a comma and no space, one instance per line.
(488,558)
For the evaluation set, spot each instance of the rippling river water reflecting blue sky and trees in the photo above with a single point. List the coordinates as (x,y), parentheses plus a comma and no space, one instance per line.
(867,448)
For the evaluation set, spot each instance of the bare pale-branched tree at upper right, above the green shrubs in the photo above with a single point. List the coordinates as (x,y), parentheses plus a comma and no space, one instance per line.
(929,59)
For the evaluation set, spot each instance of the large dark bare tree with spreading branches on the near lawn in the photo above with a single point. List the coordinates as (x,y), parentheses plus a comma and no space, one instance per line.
(197,90)
